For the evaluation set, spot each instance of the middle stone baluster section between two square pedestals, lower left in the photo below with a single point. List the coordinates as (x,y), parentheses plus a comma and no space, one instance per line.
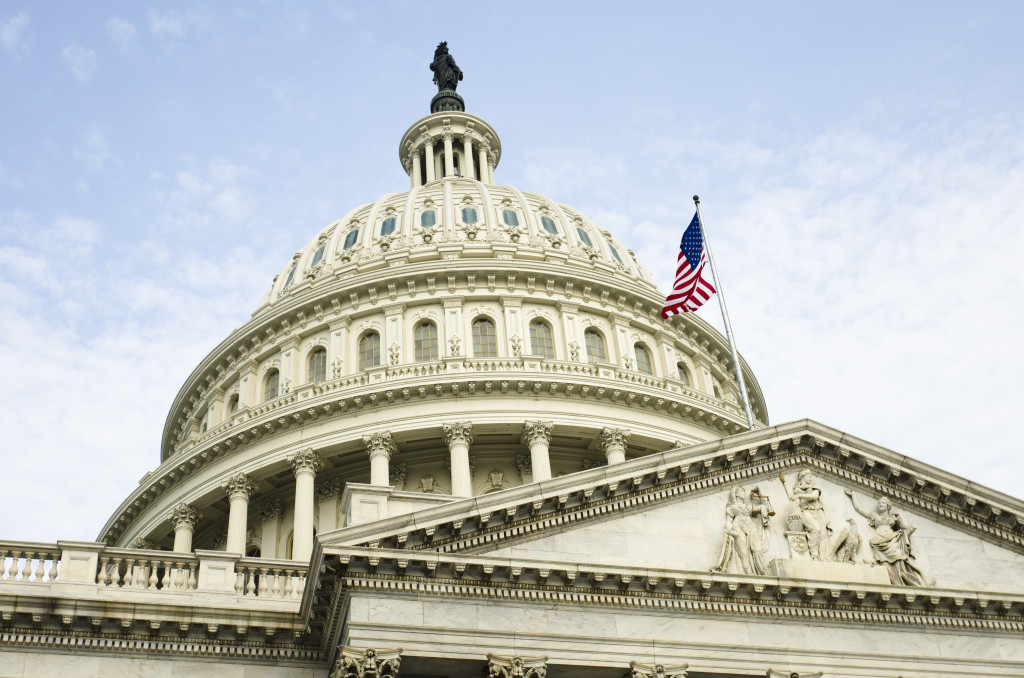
(138,569)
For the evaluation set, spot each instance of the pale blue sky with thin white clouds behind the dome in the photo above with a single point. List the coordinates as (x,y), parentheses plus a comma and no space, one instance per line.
(861,169)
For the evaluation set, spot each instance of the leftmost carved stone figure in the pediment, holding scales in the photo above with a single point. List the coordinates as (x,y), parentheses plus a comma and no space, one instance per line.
(746,537)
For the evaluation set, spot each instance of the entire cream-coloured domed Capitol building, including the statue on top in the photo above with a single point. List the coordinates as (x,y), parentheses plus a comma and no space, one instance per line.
(457,439)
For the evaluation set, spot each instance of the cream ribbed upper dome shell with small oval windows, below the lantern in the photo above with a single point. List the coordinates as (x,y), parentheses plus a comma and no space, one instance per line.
(453,218)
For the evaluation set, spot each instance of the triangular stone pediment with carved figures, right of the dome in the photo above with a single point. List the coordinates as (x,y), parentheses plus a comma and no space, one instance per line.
(736,506)
